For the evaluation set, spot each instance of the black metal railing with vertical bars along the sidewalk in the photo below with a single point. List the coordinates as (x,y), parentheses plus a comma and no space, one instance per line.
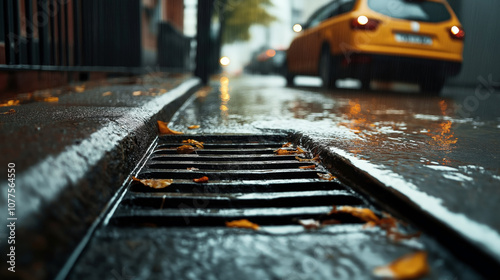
(83,35)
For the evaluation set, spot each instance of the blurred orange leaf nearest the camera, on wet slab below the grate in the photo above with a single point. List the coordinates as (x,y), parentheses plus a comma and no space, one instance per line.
(409,266)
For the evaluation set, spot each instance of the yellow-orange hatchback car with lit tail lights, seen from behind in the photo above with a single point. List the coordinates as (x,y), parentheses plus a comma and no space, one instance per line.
(409,40)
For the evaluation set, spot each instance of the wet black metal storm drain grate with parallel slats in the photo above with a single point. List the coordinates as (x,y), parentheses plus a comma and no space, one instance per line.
(247,180)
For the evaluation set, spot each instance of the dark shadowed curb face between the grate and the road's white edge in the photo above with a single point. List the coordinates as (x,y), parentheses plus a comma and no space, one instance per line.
(405,209)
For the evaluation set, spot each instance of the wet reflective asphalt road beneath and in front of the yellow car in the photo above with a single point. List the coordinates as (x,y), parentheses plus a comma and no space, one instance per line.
(442,152)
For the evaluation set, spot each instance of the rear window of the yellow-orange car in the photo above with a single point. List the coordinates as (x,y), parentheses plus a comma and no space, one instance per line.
(418,10)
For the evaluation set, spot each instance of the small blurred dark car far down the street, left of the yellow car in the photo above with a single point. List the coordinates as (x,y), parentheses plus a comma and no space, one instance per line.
(267,61)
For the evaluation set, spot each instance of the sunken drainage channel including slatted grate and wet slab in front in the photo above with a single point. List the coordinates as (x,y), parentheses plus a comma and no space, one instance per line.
(179,232)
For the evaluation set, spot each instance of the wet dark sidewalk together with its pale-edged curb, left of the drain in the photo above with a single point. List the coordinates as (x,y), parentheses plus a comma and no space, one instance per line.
(72,148)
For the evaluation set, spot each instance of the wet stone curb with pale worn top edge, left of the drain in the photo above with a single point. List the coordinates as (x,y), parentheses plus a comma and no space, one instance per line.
(70,190)
